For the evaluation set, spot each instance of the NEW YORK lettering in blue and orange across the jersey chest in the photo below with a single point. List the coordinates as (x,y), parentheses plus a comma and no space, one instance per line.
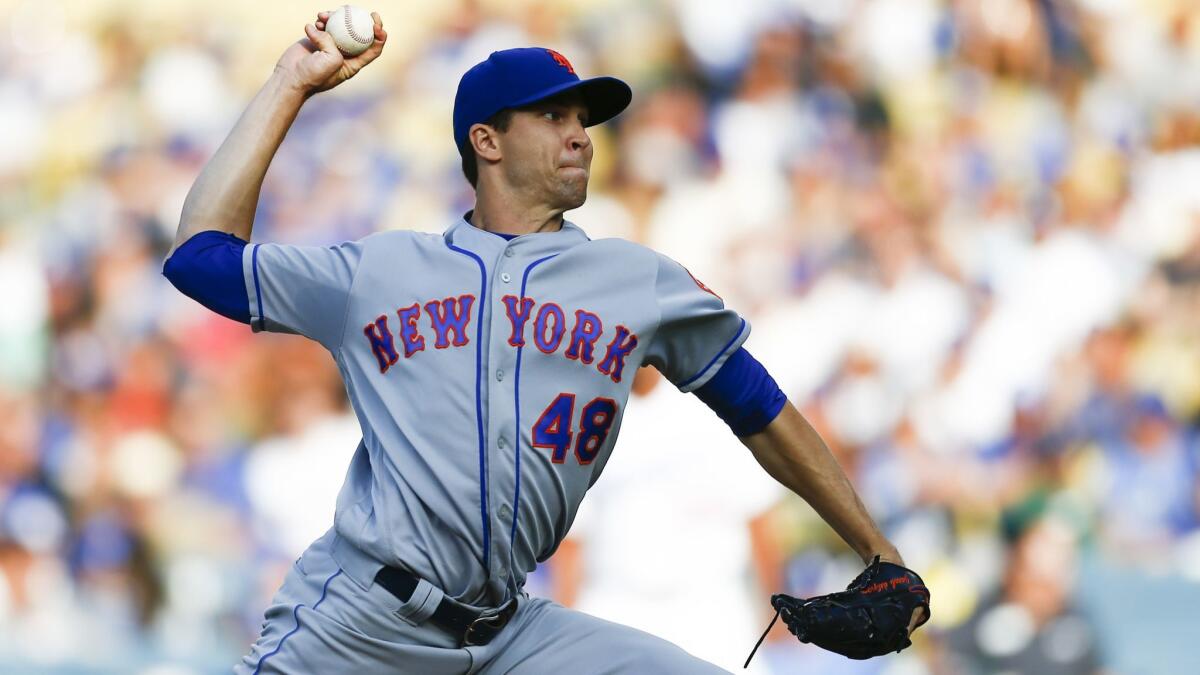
(449,320)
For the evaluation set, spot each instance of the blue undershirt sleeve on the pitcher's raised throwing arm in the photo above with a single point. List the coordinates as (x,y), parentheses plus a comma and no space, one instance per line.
(208,270)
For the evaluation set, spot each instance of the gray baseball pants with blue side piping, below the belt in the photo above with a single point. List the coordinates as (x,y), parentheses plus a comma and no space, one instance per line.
(323,622)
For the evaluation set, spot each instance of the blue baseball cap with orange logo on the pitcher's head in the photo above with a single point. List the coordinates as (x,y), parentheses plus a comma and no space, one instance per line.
(518,77)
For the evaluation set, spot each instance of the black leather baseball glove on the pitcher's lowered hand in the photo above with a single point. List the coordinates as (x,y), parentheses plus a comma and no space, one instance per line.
(869,619)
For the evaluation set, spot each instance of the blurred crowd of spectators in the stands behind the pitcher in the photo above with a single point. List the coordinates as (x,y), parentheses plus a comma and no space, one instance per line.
(967,235)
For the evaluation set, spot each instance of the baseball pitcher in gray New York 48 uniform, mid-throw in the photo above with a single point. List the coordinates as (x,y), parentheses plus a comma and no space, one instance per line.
(489,368)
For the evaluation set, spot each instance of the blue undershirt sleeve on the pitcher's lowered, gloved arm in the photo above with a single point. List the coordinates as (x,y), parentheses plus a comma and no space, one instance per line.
(743,395)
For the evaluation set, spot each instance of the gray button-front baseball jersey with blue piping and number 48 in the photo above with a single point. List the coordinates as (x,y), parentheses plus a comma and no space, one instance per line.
(490,378)
